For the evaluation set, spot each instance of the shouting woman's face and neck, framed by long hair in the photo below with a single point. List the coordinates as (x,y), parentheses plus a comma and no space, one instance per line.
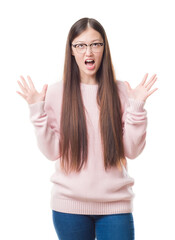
(87,37)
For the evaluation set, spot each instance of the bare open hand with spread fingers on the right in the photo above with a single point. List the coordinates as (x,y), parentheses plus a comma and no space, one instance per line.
(141,92)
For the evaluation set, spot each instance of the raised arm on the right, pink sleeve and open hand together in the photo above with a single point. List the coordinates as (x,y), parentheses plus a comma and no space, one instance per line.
(135,117)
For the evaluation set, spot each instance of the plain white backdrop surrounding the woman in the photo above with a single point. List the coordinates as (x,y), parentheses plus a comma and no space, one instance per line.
(33,37)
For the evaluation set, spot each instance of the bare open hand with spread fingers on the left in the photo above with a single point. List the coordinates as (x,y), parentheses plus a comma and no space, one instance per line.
(30,94)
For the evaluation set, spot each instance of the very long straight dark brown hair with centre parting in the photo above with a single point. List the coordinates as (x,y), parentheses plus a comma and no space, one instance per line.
(73,143)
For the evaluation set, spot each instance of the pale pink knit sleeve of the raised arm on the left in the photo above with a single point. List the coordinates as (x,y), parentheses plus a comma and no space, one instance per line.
(44,121)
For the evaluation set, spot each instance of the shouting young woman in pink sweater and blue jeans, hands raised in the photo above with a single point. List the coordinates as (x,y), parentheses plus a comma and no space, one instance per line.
(89,123)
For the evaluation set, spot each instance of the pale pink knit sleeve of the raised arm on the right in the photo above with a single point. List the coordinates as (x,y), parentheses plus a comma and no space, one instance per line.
(134,128)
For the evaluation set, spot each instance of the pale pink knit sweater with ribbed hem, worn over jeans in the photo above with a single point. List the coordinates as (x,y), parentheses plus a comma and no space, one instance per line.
(92,191)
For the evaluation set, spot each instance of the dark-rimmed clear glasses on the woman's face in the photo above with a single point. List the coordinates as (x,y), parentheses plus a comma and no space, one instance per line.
(95,47)
